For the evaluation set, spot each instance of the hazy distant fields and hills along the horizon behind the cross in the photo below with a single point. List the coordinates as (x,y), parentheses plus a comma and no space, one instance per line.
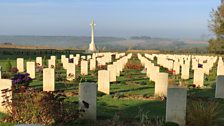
(102,43)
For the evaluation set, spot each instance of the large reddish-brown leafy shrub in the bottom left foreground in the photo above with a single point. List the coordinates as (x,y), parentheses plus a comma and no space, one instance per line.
(38,107)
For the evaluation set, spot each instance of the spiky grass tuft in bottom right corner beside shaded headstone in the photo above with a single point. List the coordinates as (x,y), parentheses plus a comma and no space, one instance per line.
(206,113)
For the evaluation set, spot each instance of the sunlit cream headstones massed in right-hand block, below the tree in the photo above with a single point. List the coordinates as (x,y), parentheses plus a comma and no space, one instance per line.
(181,65)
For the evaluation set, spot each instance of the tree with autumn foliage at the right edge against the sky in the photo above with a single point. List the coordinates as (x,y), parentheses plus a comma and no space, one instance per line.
(216,25)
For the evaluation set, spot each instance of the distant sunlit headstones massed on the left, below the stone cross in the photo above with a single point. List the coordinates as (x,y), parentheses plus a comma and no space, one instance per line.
(70,67)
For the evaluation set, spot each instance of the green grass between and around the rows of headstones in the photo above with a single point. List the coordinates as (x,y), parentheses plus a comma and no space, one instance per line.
(131,82)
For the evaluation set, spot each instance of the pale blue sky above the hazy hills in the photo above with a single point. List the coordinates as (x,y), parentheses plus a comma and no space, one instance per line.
(119,18)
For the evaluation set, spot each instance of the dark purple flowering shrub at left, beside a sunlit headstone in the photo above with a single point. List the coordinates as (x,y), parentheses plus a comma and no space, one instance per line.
(21,79)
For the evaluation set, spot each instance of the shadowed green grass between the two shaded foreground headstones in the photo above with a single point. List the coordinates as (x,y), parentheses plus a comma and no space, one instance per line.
(129,109)
